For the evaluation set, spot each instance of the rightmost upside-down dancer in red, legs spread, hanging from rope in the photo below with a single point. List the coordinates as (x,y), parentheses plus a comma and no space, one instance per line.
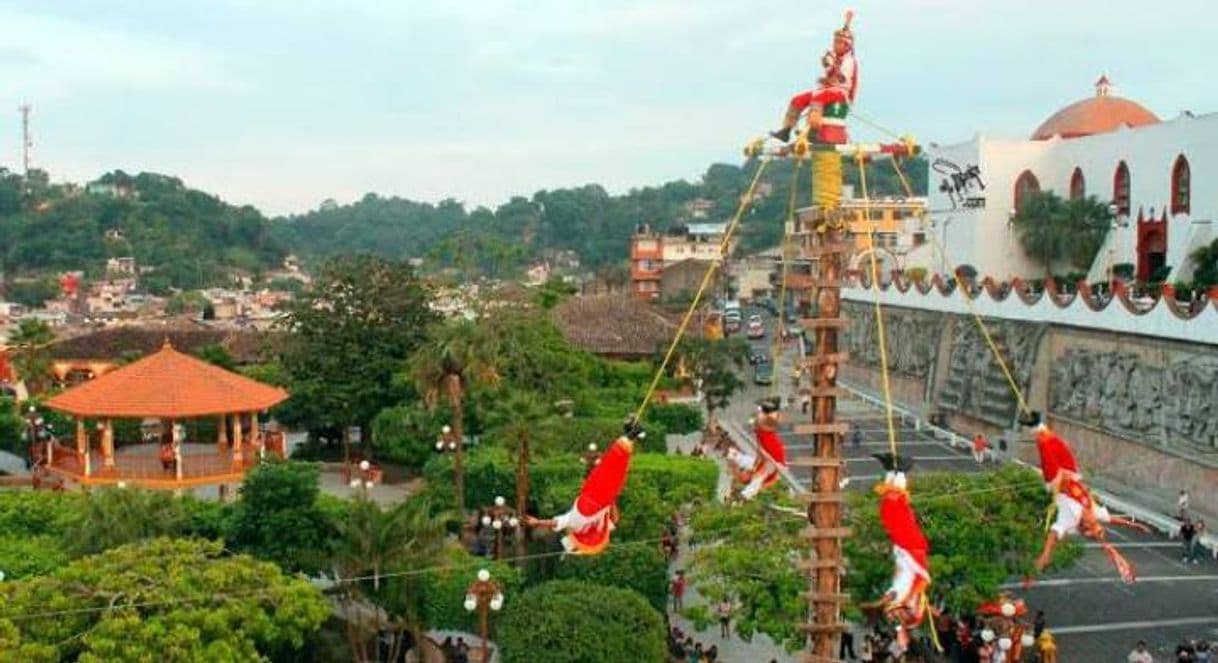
(1077,510)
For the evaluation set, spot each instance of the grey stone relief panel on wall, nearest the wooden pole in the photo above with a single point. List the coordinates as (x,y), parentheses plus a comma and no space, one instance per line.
(913,339)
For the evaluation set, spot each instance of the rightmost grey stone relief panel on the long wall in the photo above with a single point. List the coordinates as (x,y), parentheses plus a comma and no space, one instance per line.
(1125,395)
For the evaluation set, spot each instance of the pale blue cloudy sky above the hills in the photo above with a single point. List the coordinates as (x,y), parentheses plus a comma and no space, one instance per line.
(283,104)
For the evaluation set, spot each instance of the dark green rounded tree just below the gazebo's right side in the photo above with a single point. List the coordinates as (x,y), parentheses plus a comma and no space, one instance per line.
(278,517)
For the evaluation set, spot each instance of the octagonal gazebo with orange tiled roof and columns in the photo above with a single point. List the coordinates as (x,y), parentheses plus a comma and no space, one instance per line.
(165,388)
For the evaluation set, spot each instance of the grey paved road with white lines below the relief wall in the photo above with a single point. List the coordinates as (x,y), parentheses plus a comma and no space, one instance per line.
(1096,617)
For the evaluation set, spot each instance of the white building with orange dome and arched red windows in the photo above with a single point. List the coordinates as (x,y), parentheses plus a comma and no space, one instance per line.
(1105,147)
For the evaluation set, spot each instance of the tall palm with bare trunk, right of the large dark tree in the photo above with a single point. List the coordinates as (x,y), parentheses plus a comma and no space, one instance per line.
(456,354)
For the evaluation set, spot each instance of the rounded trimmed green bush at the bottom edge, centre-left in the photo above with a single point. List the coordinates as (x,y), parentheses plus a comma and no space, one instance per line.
(568,621)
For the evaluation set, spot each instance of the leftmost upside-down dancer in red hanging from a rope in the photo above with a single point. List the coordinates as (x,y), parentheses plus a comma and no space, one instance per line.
(595,514)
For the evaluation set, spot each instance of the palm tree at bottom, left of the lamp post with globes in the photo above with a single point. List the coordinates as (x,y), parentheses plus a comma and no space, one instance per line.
(375,543)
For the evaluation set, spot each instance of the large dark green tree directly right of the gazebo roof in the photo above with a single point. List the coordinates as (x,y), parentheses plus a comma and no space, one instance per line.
(361,317)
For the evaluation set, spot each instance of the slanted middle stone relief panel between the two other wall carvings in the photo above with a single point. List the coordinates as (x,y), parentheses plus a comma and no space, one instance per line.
(976,386)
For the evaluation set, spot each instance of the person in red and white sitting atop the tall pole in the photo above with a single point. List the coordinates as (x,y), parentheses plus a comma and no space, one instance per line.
(837,87)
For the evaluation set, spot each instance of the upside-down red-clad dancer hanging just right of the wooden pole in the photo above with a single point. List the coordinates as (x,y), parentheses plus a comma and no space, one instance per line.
(906,601)
